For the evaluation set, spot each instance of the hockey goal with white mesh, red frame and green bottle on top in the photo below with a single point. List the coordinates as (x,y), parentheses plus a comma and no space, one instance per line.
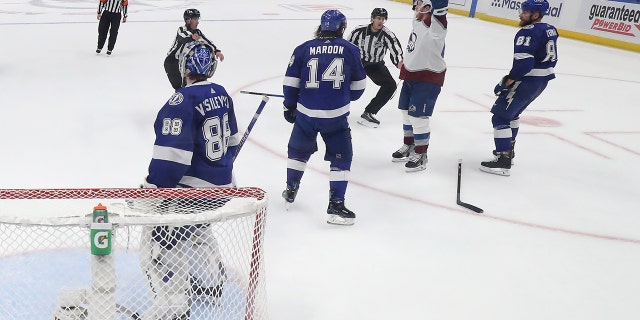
(124,253)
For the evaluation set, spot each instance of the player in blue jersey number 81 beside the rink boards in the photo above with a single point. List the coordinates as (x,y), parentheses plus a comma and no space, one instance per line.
(535,56)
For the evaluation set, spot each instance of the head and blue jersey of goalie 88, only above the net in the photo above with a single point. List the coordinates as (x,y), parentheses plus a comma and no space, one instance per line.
(196,129)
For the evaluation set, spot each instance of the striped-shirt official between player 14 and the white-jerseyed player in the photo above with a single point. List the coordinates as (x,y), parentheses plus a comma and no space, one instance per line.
(374,40)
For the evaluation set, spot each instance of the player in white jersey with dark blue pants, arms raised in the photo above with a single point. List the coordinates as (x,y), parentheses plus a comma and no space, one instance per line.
(423,73)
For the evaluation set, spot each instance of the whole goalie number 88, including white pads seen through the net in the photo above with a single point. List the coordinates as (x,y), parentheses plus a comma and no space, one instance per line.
(196,138)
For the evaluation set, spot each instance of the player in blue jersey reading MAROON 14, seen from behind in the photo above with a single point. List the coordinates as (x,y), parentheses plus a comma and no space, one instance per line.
(324,75)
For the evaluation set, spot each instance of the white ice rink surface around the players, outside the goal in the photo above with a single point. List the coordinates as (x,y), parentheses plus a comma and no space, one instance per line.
(559,239)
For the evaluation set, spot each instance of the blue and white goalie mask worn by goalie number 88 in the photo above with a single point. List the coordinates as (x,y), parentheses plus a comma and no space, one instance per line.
(197,58)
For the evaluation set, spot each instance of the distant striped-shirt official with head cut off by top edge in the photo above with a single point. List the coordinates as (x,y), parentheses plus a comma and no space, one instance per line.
(109,13)
